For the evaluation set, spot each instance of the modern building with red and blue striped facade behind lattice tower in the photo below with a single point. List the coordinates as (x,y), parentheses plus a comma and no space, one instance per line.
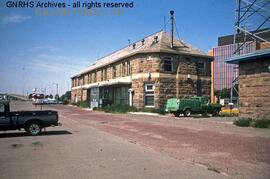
(225,73)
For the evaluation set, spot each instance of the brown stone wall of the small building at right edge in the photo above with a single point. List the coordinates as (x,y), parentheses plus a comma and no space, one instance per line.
(254,89)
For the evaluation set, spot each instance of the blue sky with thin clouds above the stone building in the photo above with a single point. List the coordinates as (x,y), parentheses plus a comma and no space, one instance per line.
(37,51)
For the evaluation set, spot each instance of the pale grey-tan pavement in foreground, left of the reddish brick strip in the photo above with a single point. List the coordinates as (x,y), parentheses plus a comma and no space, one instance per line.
(79,149)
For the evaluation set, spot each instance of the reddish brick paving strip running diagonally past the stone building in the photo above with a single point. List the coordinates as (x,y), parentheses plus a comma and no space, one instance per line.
(213,144)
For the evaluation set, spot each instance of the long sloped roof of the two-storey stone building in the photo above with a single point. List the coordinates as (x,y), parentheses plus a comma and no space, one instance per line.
(150,45)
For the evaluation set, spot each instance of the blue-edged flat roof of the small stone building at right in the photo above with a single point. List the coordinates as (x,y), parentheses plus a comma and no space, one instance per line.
(250,56)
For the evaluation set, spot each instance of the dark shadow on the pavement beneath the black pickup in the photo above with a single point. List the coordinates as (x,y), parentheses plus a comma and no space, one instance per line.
(24,134)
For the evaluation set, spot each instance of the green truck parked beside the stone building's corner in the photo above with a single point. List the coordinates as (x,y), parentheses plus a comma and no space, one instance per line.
(192,105)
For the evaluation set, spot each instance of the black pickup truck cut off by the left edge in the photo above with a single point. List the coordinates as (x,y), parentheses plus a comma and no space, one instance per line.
(31,121)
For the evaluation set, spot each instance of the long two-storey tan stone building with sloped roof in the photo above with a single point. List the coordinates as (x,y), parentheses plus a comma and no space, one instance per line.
(145,74)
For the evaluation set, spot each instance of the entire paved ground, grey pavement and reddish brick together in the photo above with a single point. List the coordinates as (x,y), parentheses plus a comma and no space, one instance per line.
(94,144)
